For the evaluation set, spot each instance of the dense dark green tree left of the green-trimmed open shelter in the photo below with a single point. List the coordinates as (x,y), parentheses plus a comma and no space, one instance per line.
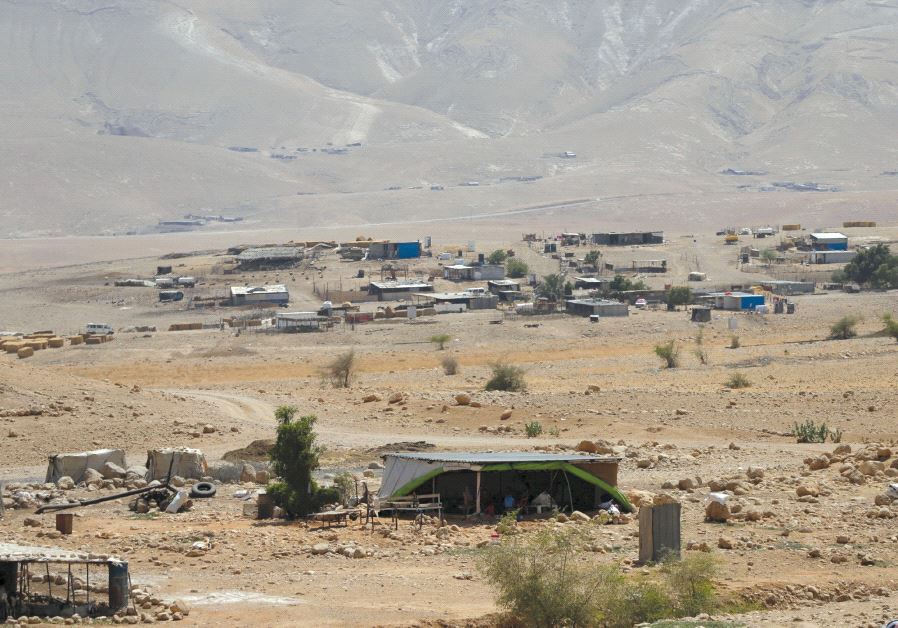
(294,457)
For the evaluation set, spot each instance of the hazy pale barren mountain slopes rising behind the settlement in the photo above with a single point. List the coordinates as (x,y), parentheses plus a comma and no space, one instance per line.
(120,113)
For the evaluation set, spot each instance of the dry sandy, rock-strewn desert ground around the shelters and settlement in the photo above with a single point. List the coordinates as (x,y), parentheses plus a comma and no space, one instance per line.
(811,541)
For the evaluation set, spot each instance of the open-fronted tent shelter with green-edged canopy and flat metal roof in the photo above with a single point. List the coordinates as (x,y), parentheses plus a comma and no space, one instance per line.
(472,482)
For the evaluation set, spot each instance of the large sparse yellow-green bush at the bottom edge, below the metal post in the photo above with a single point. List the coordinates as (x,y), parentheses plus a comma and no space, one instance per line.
(542,581)
